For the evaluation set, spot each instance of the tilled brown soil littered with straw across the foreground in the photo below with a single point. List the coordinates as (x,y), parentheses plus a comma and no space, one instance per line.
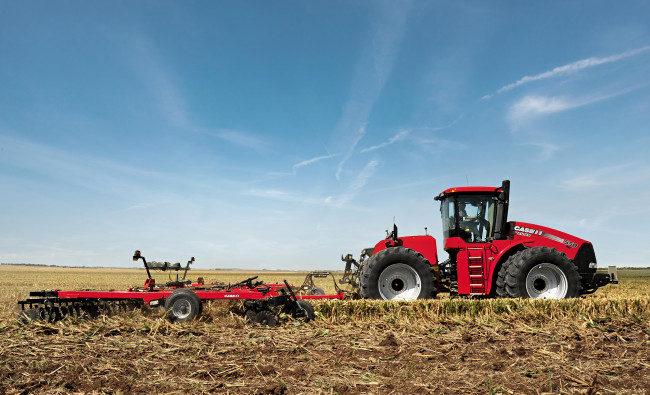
(222,354)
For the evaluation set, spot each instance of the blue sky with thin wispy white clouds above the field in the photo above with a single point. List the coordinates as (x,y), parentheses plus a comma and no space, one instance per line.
(268,135)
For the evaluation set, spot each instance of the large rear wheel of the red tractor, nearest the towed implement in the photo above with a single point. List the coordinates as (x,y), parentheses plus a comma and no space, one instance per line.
(397,273)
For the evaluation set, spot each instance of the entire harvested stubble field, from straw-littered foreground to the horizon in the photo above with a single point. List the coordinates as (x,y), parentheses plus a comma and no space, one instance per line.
(598,343)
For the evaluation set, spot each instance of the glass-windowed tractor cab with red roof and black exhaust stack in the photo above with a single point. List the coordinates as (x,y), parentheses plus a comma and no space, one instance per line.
(474,214)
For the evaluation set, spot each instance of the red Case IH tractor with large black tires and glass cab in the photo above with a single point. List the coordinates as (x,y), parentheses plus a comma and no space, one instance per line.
(488,256)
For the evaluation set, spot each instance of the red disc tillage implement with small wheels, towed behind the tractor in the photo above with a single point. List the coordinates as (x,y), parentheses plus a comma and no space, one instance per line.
(182,299)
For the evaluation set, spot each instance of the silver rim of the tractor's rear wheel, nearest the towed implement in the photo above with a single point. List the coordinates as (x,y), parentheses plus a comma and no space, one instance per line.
(399,282)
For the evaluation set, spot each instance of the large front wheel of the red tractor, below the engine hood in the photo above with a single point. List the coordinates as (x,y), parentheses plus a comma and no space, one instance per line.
(542,272)
